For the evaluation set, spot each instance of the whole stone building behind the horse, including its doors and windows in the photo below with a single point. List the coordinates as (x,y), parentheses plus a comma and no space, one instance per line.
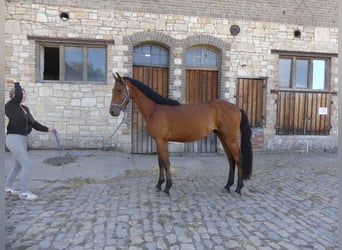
(275,59)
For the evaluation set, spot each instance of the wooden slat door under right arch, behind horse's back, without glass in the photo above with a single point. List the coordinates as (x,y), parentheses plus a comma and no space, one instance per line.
(201,86)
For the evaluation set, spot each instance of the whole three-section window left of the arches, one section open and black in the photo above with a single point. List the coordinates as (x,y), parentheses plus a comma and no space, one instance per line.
(73,63)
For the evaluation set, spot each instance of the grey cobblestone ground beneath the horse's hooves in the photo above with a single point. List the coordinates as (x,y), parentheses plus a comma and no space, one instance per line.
(289,203)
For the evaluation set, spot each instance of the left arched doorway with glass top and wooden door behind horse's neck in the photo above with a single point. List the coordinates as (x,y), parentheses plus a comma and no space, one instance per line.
(150,65)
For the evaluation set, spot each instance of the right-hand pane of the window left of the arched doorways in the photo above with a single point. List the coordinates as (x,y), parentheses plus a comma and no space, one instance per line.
(96,64)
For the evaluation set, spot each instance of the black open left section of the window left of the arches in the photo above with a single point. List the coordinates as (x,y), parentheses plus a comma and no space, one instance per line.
(51,63)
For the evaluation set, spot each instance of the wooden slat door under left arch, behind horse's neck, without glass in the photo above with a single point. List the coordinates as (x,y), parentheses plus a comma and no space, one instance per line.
(157,79)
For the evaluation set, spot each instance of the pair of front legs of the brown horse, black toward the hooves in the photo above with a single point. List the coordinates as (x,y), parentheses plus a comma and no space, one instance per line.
(164,165)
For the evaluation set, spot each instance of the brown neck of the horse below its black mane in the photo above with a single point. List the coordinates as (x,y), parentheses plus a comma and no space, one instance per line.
(146,105)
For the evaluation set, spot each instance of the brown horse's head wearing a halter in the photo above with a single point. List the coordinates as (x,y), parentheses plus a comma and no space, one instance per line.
(120,96)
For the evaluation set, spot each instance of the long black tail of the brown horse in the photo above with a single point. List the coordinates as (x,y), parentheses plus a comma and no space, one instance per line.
(246,146)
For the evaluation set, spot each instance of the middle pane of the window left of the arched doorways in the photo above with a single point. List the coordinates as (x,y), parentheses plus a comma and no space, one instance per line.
(73,63)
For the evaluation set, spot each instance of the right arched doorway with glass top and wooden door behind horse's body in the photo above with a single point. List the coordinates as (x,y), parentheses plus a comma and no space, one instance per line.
(201,85)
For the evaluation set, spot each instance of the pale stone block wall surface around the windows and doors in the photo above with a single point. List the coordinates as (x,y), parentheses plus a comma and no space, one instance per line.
(80,111)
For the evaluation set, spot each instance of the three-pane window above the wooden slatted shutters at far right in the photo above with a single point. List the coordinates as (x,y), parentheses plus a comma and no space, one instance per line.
(303,72)
